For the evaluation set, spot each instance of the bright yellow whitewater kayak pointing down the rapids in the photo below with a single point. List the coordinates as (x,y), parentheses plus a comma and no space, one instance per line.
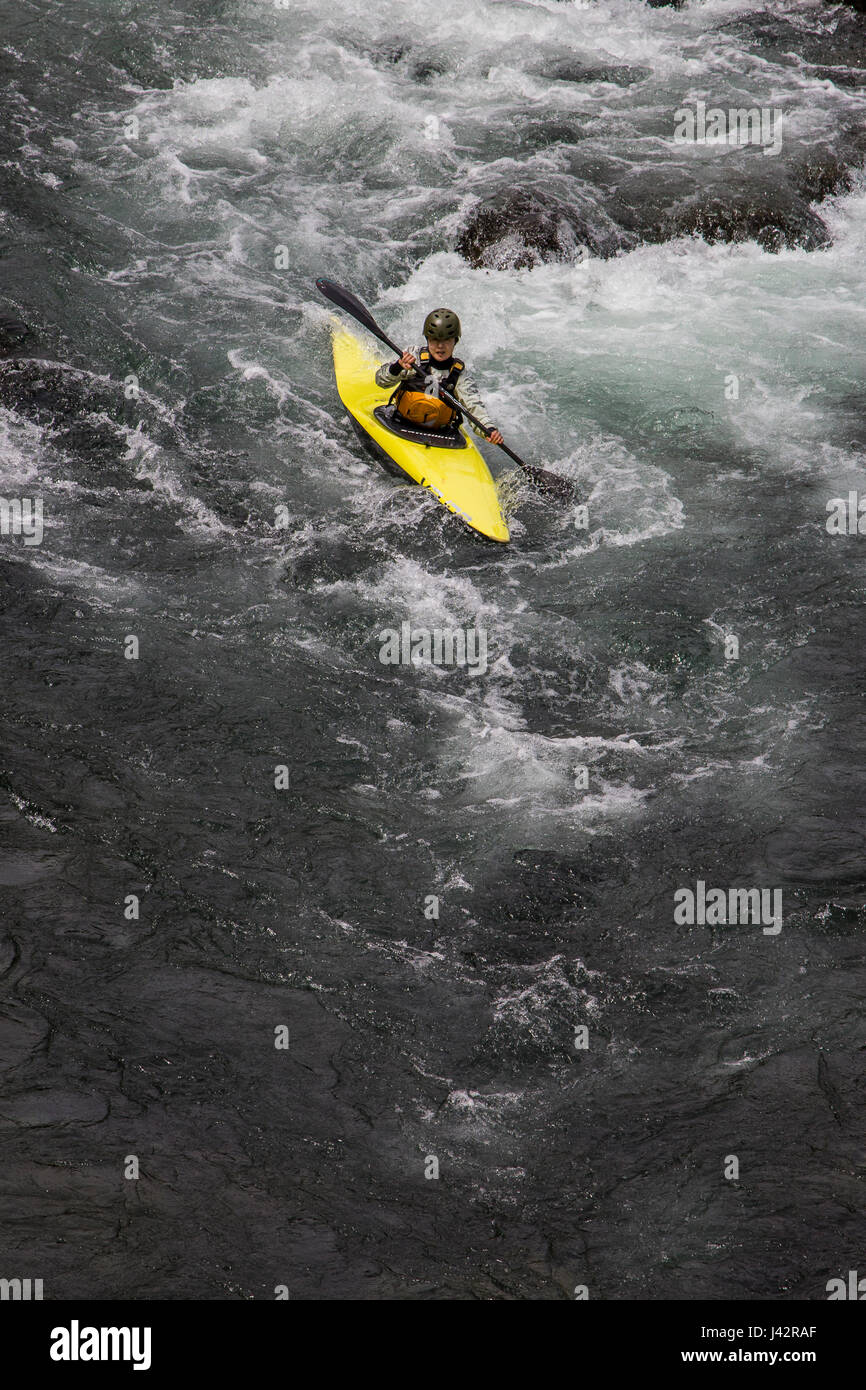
(446,462)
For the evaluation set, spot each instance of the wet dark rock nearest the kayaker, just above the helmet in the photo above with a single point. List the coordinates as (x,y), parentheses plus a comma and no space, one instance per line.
(519,229)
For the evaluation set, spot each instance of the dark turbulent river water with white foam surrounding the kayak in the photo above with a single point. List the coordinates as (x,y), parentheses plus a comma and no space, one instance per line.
(461,897)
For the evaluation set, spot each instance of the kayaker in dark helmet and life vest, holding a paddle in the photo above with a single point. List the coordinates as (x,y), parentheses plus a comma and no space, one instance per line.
(420,373)
